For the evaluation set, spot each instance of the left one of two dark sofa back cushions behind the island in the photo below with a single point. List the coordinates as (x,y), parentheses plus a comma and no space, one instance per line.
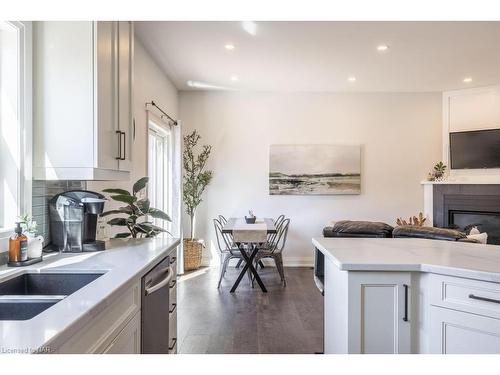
(349,228)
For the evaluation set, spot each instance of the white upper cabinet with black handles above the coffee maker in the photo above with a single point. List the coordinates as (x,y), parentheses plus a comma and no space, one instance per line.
(83,100)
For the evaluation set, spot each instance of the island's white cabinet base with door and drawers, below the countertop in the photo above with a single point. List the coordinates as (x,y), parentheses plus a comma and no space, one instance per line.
(409,312)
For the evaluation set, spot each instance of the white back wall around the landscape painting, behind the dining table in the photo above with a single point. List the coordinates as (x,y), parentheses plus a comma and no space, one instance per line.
(400,134)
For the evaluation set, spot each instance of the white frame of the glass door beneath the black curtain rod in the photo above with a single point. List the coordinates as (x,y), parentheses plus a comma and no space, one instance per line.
(167,190)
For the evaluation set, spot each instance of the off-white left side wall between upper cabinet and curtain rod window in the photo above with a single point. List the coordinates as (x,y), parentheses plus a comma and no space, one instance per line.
(150,83)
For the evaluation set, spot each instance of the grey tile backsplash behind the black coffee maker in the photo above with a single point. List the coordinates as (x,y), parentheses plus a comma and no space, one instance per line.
(42,192)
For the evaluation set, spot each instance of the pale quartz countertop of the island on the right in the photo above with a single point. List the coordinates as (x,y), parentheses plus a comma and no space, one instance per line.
(452,258)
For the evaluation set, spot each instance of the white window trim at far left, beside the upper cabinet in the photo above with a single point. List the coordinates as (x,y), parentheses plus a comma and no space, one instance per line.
(24,183)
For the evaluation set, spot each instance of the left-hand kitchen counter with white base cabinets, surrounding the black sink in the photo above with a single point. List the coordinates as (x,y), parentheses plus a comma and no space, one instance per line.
(103,316)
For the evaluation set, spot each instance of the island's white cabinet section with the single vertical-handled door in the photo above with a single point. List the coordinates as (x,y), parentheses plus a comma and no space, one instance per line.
(368,312)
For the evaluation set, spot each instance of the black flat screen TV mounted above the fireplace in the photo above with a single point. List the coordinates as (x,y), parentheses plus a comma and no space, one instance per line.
(475,149)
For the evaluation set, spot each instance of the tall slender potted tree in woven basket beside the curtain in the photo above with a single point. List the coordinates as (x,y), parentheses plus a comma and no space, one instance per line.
(196,179)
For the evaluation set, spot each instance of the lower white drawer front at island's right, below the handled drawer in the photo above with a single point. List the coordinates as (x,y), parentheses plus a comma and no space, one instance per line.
(458,332)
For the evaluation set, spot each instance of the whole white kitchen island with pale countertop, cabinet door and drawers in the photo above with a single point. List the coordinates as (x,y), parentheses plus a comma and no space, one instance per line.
(410,296)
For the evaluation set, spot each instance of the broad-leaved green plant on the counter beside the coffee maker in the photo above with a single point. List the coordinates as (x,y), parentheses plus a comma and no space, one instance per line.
(137,211)
